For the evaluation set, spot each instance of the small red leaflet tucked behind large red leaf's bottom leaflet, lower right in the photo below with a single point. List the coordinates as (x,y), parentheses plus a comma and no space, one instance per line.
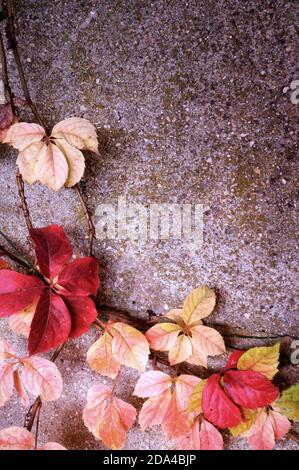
(83,314)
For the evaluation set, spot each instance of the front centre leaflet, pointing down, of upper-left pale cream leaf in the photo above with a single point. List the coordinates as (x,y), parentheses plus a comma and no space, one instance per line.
(51,167)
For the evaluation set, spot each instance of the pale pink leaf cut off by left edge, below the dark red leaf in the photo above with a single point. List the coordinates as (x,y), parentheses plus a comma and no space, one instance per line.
(33,374)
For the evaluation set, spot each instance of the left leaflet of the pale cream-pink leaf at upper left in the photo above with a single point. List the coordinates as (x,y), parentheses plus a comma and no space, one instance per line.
(22,134)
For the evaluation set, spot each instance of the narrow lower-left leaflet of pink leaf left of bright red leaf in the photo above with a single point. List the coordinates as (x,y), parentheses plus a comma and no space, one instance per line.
(154,409)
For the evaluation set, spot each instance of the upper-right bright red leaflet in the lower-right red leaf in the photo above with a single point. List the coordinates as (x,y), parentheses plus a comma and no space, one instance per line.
(249,388)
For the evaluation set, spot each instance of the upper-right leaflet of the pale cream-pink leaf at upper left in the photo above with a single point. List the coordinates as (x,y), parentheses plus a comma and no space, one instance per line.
(78,132)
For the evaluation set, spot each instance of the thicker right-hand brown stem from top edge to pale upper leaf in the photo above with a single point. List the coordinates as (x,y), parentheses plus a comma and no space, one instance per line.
(11,36)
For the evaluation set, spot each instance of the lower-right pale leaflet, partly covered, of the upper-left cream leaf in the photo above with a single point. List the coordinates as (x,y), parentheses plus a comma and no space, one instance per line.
(75,161)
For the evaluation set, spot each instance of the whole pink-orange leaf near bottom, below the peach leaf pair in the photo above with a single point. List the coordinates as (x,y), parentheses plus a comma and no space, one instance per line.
(108,417)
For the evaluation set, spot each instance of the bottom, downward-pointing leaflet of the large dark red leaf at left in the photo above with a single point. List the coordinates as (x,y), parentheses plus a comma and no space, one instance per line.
(51,324)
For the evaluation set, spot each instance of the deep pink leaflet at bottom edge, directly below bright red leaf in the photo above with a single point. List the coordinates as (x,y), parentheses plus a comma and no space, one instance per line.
(202,436)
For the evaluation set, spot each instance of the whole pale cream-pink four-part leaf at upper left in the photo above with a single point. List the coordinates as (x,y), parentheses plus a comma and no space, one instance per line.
(55,161)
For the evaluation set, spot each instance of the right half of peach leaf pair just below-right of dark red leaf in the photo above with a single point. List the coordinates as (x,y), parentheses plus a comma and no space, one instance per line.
(129,346)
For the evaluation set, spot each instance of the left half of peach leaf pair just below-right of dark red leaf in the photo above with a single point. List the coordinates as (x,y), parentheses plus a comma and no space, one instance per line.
(101,359)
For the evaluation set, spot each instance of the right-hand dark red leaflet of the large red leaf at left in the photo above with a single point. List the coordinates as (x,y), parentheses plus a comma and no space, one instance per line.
(80,277)
